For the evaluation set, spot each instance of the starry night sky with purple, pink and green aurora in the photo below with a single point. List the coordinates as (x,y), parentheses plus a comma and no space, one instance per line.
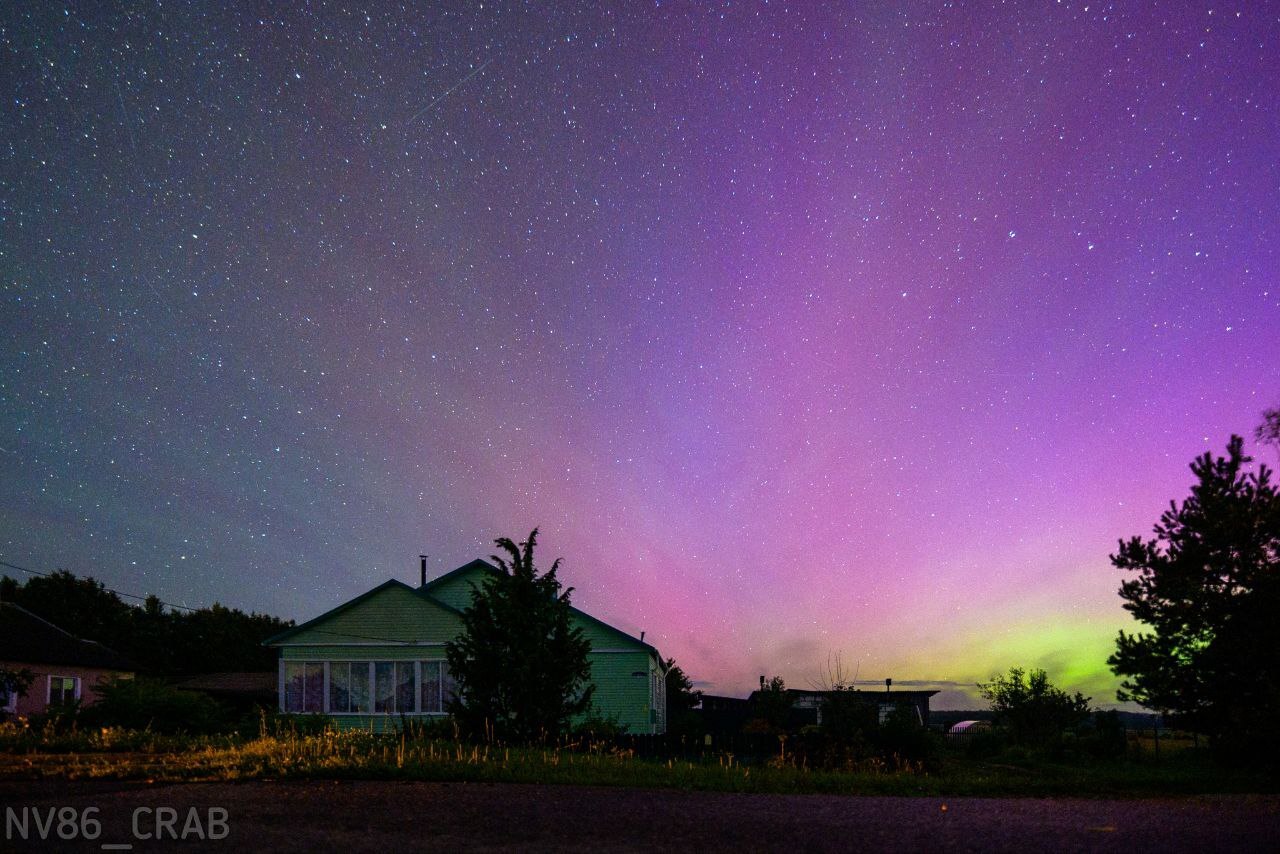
(865,330)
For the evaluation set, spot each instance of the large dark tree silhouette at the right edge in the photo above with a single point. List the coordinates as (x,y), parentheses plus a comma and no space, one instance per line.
(1209,590)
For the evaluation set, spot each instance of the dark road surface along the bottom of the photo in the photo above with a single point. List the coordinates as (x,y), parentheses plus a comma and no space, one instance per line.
(358,816)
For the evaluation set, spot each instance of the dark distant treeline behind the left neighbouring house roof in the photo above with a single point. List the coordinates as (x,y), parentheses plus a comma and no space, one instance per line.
(162,642)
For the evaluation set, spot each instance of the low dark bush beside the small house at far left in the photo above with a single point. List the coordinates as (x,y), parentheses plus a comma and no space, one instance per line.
(152,705)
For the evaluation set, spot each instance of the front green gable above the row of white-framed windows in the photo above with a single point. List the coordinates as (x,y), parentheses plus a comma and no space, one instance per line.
(392,614)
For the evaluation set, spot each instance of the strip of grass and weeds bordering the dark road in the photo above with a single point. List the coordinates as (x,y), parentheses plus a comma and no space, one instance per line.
(116,755)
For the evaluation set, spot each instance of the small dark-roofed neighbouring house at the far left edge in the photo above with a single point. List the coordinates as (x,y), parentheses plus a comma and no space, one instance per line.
(66,668)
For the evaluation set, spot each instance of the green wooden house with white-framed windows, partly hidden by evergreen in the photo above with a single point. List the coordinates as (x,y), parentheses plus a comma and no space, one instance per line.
(381,656)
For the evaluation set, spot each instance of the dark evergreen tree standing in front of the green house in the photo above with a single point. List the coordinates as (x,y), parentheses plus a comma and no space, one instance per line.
(520,664)
